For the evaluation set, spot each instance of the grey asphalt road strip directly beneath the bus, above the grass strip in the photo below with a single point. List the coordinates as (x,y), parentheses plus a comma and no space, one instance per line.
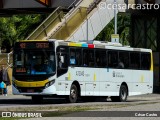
(11,101)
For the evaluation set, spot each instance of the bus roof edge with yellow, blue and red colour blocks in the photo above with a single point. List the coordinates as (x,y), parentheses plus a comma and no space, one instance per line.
(92,44)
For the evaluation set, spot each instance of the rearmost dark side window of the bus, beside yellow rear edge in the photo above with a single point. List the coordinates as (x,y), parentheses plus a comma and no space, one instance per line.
(145,61)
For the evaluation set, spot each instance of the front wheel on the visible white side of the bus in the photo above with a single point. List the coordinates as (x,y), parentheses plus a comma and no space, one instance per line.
(73,94)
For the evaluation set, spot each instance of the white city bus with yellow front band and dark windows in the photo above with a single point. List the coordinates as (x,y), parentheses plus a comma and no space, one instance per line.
(84,69)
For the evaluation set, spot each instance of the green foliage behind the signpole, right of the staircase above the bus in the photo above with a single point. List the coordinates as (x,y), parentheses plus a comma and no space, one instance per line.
(123,24)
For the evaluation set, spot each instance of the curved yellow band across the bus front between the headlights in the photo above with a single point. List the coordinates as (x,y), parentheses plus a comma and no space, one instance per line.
(31,84)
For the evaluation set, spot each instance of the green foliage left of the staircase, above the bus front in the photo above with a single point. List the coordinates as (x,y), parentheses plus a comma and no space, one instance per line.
(17,27)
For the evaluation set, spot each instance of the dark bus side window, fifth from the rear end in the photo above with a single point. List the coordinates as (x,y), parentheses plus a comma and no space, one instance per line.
(101,58)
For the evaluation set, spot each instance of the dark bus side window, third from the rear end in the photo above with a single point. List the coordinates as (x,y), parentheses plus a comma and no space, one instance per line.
(124,59)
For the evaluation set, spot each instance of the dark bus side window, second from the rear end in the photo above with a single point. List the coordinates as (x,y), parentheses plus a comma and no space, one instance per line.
(134,60)
